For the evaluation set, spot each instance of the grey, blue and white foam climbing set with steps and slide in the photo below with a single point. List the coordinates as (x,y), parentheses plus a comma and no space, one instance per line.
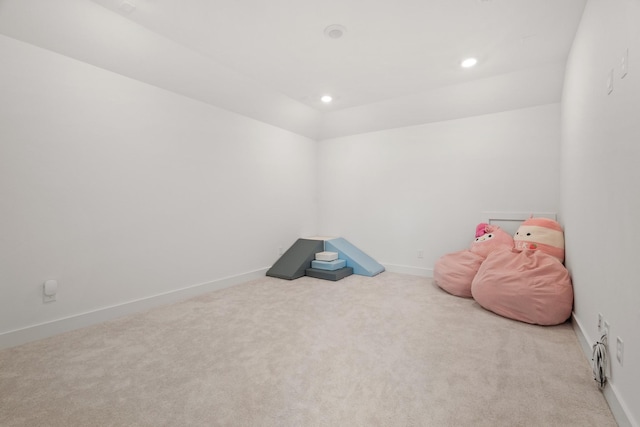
(329,259)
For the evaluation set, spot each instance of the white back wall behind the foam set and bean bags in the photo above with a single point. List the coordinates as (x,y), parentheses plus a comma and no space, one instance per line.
(399,191)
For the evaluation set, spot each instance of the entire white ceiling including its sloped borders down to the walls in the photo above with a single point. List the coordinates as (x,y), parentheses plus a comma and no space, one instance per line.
(398,63)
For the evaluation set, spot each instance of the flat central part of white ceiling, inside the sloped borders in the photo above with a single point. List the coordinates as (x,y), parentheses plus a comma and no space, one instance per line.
(390,49)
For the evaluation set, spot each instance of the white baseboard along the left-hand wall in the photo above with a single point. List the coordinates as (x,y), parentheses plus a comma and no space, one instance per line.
(81,320)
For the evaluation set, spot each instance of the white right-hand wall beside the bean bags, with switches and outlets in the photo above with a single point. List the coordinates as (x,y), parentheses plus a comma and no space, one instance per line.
(600,176)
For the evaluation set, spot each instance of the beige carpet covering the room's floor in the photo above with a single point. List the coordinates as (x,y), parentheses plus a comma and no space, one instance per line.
(393,350)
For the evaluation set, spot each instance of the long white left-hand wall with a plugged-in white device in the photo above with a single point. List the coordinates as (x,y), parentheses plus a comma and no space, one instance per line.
(121,190)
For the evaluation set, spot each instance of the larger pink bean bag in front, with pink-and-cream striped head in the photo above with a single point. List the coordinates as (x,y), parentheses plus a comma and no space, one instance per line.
(528,283)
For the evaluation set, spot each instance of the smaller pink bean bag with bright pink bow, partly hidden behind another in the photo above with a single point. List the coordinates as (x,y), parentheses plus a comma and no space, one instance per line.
(454,272)
